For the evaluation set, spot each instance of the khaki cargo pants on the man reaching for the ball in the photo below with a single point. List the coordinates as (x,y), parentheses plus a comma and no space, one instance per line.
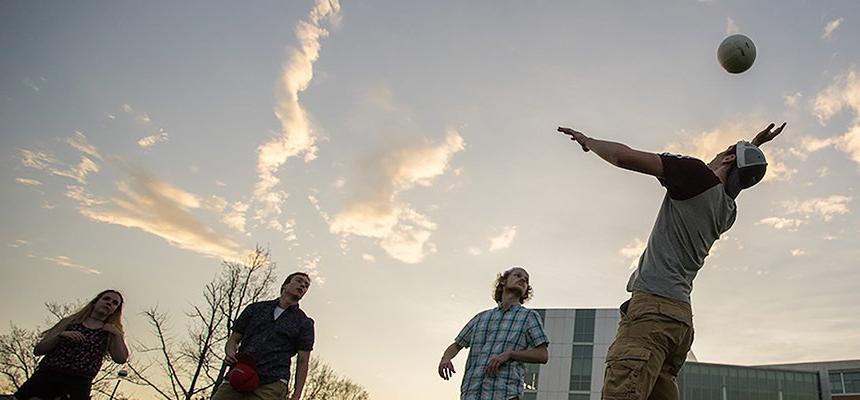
(654,336)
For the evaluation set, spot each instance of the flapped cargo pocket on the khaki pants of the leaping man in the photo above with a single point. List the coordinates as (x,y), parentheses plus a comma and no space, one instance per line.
(625,376)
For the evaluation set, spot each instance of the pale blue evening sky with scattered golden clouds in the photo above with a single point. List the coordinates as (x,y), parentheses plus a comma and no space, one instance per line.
(404,153)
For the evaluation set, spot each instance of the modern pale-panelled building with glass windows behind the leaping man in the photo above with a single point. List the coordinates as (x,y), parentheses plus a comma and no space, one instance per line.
(580,339)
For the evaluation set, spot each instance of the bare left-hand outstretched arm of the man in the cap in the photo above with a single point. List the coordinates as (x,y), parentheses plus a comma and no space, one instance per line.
(618,154)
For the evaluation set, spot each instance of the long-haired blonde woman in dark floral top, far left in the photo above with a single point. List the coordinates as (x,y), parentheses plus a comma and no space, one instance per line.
(74,349)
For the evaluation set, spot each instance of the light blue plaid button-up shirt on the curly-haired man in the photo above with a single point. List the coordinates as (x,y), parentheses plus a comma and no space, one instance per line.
(492,332)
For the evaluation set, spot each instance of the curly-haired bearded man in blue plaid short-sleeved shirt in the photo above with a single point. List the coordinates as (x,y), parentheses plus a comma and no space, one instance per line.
(501,340)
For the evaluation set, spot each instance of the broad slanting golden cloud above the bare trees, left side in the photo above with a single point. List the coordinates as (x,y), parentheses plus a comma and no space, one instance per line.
(158,208)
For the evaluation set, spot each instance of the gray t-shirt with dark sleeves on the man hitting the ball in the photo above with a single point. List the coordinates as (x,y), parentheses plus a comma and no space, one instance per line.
(695,212)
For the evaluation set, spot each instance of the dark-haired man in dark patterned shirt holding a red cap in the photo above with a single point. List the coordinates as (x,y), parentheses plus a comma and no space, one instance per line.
(272,332)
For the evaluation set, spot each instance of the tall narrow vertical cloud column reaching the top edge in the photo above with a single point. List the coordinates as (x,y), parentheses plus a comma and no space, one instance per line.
(297,137)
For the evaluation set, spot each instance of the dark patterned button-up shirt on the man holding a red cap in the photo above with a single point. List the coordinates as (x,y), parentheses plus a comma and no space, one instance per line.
(272,342)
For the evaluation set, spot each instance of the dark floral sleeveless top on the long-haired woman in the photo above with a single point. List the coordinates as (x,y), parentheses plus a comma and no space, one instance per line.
(79,358)
